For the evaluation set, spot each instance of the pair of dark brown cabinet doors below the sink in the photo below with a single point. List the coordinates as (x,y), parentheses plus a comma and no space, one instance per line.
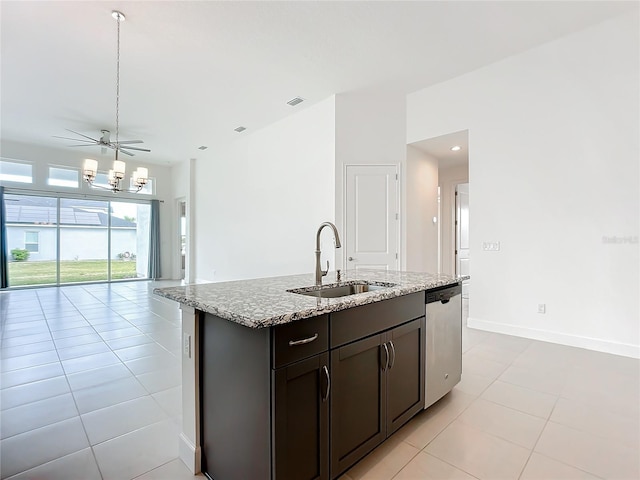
(377,387)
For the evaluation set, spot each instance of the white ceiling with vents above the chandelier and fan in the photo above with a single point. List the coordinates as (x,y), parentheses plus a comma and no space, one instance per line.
(192,71)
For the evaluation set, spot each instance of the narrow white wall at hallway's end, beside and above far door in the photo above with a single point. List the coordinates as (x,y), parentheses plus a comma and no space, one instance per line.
(448,178)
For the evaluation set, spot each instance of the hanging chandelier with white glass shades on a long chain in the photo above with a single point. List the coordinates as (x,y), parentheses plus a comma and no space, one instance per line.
(117,174)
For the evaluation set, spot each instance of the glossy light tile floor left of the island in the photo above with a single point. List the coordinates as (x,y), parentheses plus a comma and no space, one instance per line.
(90,383)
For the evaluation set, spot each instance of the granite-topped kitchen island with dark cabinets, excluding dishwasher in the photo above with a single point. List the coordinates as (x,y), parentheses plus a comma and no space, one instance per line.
(282,380)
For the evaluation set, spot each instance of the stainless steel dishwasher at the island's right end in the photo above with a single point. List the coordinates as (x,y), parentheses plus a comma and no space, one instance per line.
(443,341)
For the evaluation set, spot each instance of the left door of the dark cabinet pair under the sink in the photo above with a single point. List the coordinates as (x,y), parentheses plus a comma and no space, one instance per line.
(358,403)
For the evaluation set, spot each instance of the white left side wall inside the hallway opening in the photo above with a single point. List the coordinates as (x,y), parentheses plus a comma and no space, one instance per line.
(421,196)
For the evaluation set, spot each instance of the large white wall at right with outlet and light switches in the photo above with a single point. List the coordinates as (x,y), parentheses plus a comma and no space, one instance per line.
(554,151)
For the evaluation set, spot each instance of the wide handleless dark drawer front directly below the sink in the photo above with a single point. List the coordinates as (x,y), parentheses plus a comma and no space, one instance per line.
(359,322)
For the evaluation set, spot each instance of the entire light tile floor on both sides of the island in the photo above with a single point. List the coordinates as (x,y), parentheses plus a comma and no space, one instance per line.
(90,389)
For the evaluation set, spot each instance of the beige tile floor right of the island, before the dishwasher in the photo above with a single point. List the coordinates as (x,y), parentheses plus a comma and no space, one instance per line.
(524,410)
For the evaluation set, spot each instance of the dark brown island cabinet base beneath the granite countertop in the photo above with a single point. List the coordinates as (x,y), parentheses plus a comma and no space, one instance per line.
(308,399)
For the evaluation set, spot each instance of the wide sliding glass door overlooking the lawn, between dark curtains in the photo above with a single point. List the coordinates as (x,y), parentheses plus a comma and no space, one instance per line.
(60,240)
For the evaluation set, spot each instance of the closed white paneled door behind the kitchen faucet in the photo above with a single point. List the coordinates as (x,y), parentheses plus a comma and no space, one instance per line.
(372,226)
